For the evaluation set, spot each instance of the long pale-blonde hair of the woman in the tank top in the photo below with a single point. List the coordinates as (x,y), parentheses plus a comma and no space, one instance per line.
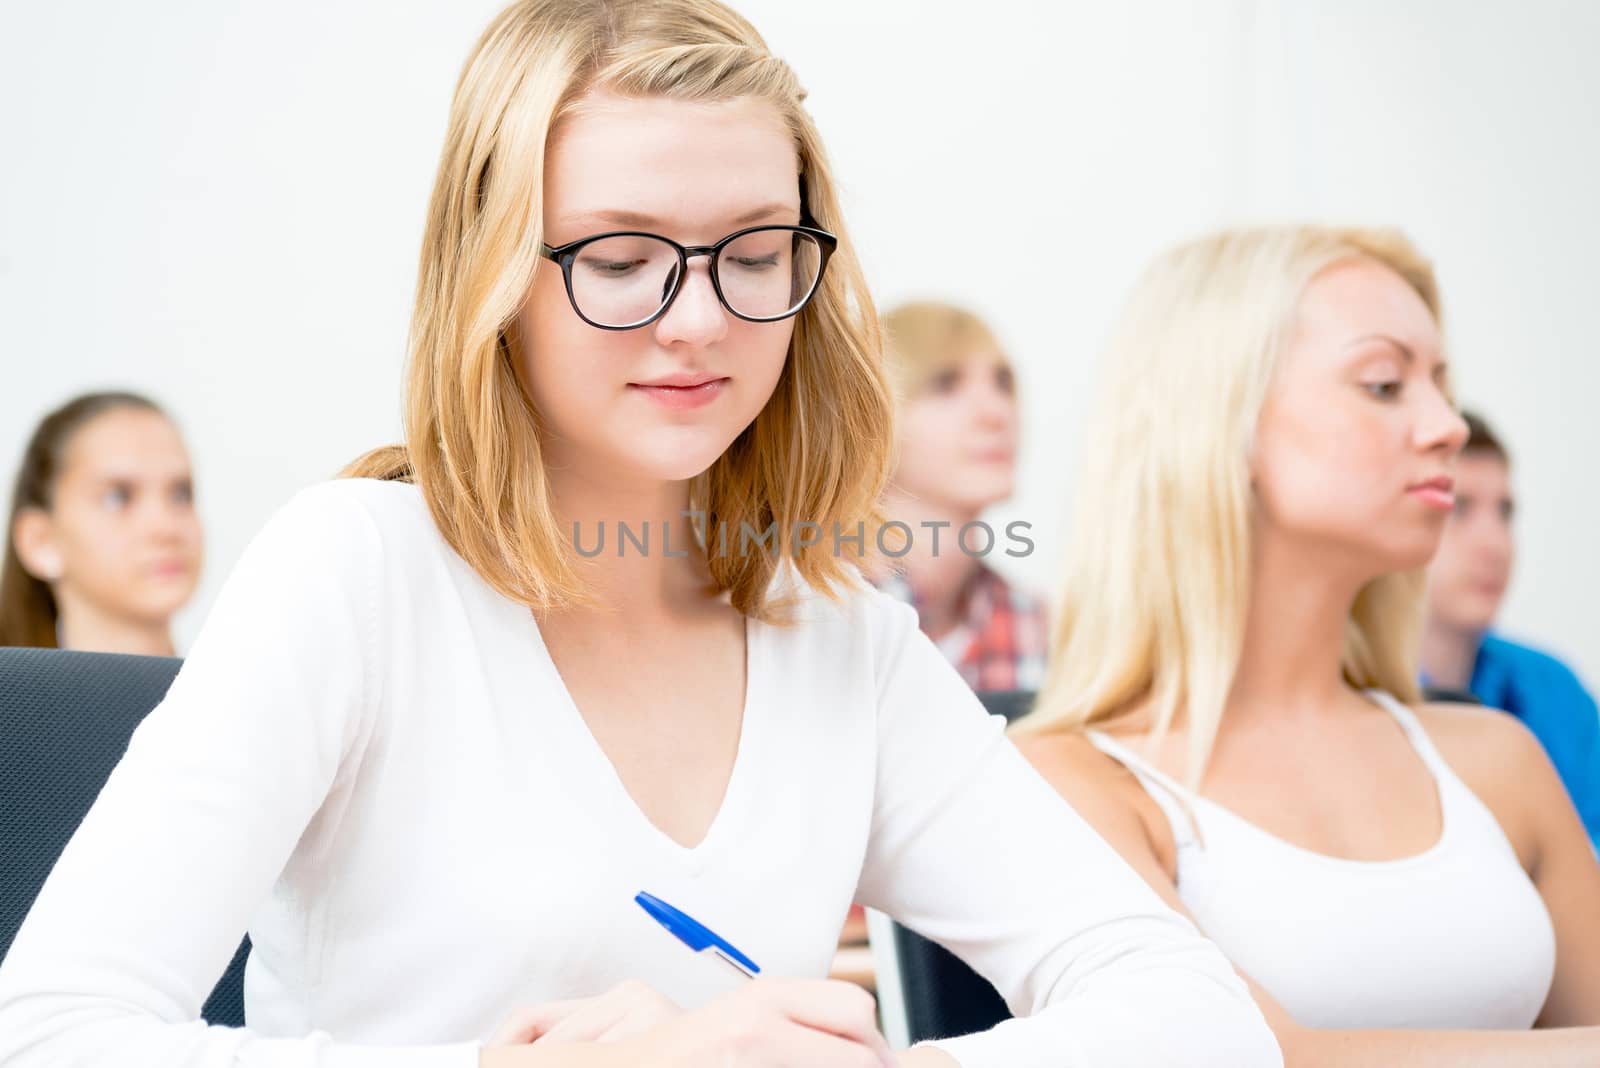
(1153,610)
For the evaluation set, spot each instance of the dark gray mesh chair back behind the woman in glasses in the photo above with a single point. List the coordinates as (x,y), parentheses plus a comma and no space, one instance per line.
(65,723)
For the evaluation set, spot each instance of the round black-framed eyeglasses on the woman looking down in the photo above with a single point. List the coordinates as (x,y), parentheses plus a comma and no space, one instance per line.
(628,279)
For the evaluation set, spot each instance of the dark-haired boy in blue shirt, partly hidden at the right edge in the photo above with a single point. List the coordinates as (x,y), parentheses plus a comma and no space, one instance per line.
(1466,586)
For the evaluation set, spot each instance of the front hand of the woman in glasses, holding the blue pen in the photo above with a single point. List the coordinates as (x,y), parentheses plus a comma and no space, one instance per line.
(764,1024)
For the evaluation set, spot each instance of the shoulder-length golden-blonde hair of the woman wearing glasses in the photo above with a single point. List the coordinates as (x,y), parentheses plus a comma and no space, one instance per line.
(820,450)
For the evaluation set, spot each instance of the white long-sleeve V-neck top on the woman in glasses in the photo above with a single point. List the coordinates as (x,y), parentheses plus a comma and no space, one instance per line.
(370,760)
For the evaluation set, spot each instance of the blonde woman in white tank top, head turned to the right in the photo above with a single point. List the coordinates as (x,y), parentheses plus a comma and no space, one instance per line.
(1233,699)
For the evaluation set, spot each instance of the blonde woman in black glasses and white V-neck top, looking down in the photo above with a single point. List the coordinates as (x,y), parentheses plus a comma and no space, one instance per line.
(433,741)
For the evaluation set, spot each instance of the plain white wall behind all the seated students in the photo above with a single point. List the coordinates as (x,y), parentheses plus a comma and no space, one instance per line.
(220,204)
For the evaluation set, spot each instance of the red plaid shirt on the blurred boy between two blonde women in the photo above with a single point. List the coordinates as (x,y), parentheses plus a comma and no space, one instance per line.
(1001,640)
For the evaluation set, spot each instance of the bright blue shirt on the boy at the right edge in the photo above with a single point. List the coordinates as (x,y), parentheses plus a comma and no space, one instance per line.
(1548,698)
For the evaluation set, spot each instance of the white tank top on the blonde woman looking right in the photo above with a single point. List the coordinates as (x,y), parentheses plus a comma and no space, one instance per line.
(1452,938)
